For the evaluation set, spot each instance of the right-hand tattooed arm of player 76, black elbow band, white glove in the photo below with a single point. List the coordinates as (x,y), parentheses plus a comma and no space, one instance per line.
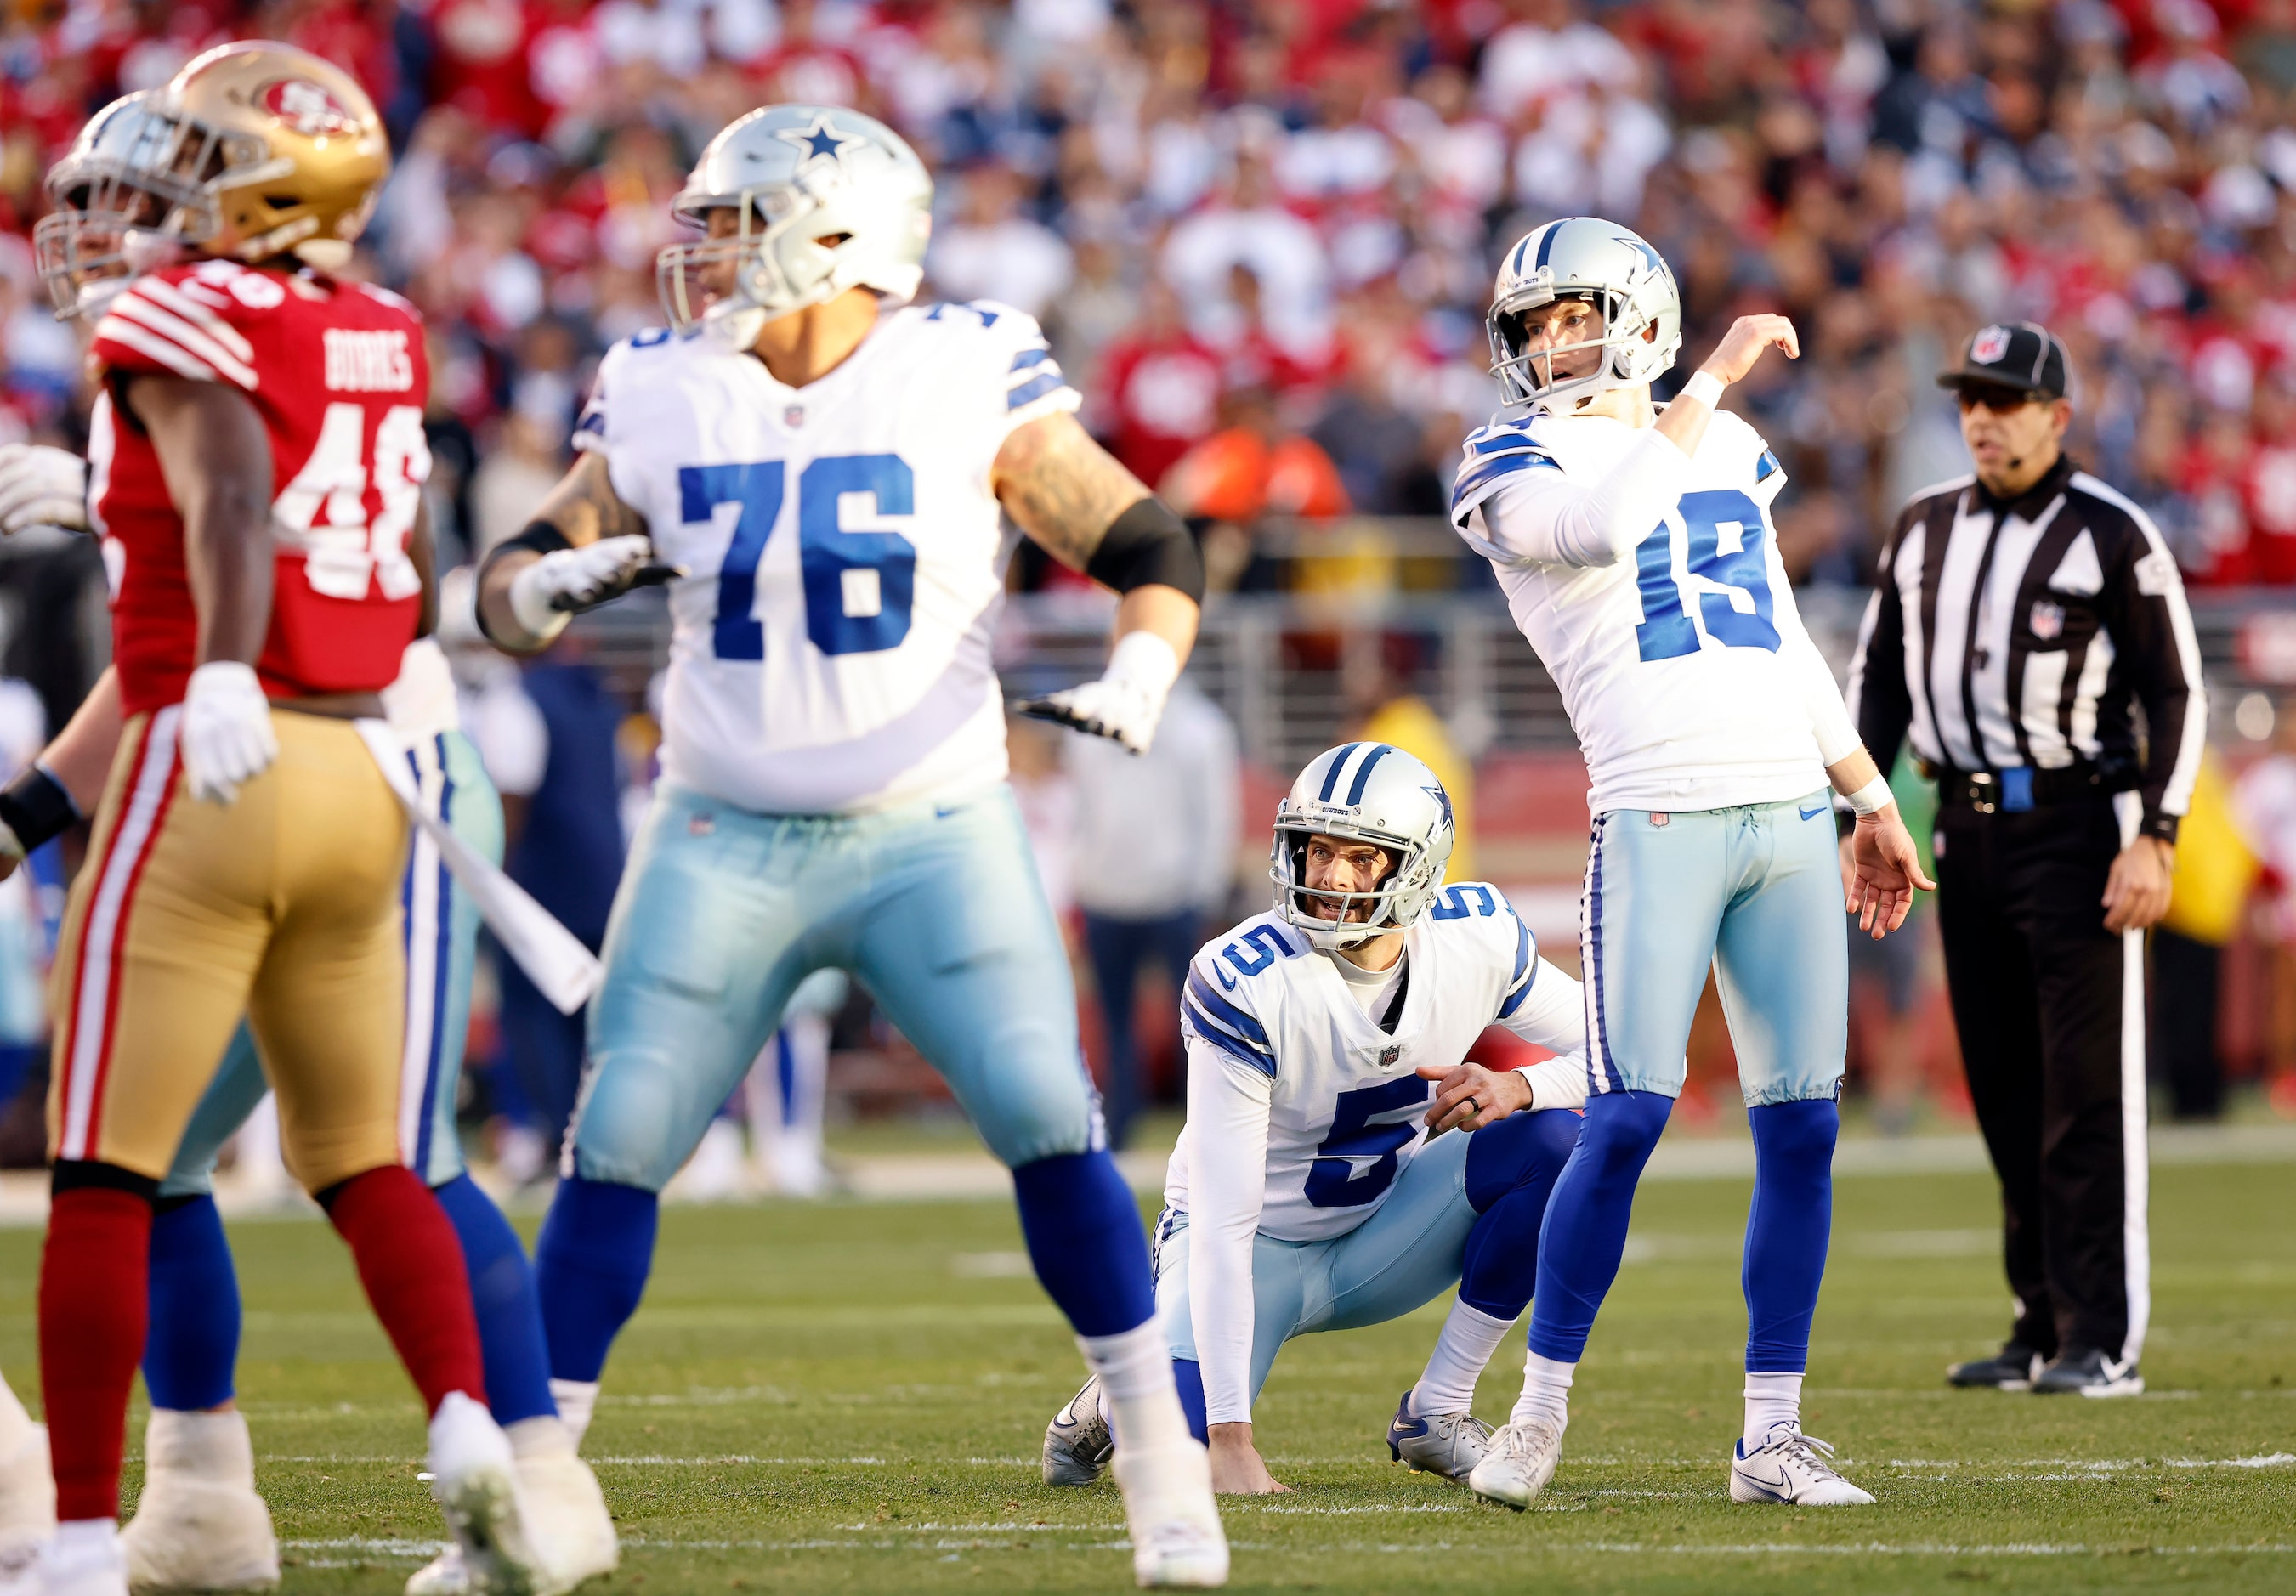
(1080,504)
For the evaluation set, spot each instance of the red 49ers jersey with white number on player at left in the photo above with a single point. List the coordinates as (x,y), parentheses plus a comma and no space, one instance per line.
(339,375)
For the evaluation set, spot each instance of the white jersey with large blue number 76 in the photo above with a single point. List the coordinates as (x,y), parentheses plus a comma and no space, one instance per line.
(841,545)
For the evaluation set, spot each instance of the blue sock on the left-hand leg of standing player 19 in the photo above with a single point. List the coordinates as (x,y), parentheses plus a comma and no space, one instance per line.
(1585,1232)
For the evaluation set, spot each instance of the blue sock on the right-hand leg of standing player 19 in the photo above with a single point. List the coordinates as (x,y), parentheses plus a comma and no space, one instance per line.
(1787,1230)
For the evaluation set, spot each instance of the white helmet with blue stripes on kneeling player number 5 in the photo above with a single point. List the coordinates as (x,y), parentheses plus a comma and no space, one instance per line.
(1365,793)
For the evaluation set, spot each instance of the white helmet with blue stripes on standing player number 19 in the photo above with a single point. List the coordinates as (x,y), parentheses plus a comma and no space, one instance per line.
(1613,270)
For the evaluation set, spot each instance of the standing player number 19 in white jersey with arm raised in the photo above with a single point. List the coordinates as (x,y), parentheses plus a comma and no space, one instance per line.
(1638,557)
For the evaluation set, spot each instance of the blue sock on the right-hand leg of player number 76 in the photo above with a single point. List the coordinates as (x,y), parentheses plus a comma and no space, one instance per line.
(1087,1241)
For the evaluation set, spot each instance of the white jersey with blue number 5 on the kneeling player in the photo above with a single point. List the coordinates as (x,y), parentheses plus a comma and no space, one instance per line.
(1347,1106)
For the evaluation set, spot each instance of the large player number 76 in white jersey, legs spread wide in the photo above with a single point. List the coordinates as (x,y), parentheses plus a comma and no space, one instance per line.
(823,472)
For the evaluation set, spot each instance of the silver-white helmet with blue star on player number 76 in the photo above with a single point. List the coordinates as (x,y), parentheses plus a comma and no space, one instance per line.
(798,176)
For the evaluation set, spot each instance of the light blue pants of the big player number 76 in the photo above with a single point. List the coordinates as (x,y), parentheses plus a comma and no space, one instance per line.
(936,908)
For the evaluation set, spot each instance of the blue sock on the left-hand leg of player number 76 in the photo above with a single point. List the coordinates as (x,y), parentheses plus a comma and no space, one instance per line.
(591,1264)
